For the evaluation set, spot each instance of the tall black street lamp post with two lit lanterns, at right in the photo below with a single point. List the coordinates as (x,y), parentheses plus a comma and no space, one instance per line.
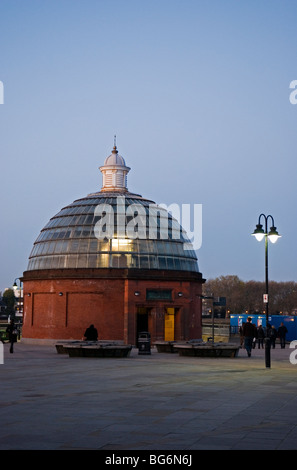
(273,236)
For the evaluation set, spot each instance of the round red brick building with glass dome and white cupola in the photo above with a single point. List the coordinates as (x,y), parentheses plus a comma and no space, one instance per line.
(116,260)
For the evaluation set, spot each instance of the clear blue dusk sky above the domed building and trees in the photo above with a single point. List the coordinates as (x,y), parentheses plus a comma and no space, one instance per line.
(197,92)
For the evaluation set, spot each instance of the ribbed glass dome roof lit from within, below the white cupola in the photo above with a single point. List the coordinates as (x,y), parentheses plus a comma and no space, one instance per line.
(69,239)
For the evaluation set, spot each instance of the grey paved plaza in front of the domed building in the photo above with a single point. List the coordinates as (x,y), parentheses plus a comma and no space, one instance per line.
(155,402)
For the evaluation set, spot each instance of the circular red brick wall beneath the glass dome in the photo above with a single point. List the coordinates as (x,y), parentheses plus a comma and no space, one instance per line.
(110,304)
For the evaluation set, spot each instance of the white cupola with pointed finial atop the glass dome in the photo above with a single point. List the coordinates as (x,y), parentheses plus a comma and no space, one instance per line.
(114,172)
